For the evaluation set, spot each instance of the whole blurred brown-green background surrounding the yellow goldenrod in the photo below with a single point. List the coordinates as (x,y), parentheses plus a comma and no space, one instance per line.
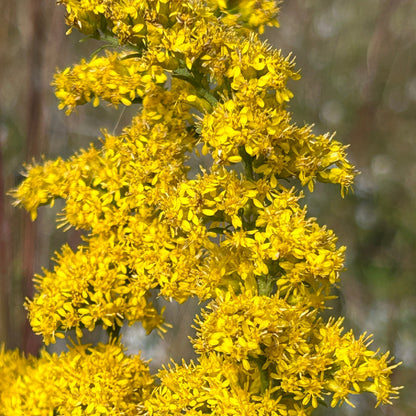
(358,65)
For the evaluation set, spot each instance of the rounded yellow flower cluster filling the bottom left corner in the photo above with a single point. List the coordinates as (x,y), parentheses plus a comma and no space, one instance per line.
(86,380)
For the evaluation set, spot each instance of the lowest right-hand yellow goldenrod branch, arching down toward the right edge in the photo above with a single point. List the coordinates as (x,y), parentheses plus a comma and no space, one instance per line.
(297,354)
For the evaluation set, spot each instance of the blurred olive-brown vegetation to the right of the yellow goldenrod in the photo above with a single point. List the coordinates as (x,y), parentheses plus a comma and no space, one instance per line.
(358,66)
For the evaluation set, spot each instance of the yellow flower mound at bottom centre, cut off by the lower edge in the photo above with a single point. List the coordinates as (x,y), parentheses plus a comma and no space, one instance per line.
(214,386)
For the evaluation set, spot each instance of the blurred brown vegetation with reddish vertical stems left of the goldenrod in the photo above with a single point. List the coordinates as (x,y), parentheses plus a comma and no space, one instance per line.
(32,45)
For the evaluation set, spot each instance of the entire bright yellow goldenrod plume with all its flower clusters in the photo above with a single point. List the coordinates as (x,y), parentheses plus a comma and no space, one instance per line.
(207,91)
